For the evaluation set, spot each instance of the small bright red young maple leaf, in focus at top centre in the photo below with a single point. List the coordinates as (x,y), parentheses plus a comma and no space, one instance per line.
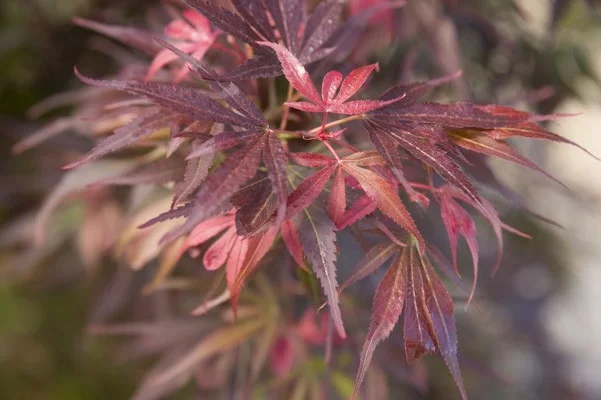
(335,91)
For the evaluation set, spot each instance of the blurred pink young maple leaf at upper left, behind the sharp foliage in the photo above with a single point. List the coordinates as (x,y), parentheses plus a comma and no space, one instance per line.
(192,35)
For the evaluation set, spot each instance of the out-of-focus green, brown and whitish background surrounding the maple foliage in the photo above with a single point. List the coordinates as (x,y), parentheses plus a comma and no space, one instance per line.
(539,333)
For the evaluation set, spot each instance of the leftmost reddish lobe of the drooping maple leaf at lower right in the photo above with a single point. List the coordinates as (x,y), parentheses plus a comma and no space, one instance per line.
(387,308)
